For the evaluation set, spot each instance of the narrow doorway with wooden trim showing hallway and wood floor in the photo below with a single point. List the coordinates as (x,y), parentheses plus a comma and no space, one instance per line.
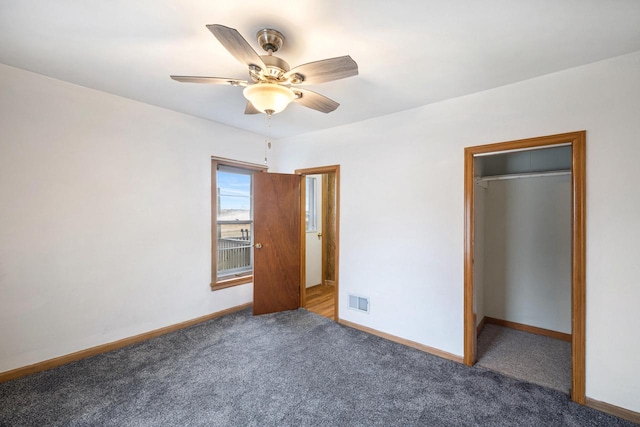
(319,250)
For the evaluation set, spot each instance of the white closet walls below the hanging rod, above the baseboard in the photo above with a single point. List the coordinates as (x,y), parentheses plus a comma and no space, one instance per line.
(527,251)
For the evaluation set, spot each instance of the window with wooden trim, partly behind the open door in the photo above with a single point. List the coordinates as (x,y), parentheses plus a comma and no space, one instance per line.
(232,222)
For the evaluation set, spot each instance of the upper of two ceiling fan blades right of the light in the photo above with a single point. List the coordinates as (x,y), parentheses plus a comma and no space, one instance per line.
(325,70)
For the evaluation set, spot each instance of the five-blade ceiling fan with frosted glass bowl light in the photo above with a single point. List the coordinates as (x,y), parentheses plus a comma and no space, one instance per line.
(273,84)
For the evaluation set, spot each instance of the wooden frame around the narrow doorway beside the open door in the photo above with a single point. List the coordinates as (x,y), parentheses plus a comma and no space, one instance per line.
(303,250)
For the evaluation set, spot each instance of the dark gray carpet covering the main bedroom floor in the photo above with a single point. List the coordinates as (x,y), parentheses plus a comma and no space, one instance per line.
(288,369)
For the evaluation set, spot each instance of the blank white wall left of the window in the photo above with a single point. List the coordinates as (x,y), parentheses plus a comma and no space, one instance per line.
(105,217)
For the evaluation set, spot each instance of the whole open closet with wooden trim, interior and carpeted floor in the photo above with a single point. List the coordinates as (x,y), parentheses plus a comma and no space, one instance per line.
(524,260)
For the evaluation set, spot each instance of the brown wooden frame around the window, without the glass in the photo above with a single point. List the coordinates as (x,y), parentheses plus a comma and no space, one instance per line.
(241,278)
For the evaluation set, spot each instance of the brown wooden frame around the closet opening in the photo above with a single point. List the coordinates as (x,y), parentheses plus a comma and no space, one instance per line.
(577,142)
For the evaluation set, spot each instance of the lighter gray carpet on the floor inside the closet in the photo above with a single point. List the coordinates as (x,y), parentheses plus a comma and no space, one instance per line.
(538,359)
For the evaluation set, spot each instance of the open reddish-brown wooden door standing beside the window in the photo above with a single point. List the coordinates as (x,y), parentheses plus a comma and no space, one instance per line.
(276,263)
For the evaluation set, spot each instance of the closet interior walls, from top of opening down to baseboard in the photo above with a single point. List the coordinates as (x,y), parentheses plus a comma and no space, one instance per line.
(522,259)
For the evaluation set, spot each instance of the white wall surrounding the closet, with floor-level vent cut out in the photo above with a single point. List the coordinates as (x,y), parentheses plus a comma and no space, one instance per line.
(402,216)
